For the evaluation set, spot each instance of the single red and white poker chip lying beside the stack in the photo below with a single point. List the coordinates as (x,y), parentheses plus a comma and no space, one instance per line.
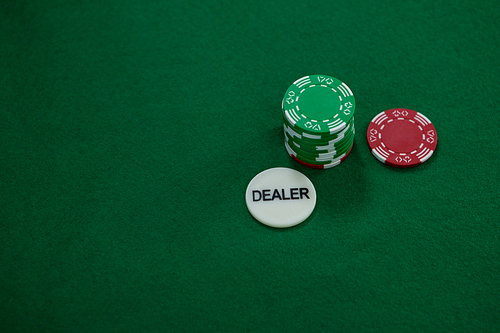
(401,138)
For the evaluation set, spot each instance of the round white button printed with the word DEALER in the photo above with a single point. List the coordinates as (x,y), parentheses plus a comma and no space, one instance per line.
(280,197)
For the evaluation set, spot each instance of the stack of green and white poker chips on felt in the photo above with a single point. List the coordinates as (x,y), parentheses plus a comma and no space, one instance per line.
(318,121)
